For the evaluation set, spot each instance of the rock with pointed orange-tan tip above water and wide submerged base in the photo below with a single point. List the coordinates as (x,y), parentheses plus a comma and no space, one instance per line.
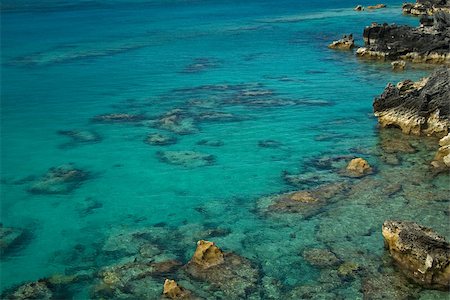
(233,275)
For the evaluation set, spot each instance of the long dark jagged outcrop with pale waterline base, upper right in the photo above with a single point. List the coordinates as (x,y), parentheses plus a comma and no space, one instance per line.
(424,44)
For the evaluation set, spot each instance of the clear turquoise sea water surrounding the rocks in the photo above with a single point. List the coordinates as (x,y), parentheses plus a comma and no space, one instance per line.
(64,63)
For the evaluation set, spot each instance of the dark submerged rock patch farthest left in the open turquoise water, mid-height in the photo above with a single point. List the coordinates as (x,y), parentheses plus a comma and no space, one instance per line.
(59,180)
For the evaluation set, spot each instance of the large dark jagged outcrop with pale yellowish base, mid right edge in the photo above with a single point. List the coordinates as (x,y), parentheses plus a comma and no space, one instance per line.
(421,107)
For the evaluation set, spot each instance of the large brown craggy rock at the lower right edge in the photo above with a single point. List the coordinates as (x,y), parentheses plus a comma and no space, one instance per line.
(421,254)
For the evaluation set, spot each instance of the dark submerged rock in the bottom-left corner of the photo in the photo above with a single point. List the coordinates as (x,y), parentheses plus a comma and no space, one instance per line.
(33,290)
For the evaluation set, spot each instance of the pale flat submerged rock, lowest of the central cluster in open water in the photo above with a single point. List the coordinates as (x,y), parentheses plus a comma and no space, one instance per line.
(188,159)
